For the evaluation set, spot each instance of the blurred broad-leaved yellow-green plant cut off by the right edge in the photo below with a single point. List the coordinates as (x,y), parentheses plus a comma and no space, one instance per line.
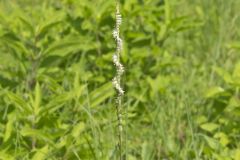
(223,121)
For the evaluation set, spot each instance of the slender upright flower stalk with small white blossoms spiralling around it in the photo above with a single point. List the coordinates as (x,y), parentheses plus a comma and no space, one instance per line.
(117,78)
